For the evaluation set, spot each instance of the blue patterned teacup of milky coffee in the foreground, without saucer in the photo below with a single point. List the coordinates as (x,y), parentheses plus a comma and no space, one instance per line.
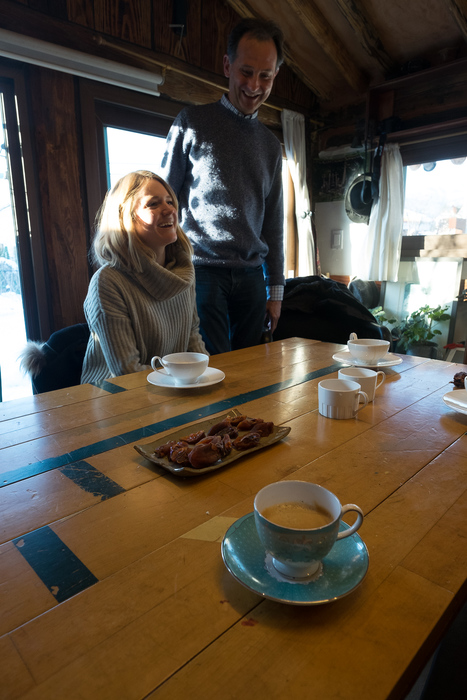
(297,552)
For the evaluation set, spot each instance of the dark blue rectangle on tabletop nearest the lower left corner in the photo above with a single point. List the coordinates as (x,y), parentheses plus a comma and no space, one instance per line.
(58,568)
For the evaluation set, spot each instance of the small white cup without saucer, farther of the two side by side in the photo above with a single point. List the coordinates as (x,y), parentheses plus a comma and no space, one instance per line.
(339,398)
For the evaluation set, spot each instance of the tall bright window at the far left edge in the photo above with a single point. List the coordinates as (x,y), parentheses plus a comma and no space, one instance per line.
(21,264)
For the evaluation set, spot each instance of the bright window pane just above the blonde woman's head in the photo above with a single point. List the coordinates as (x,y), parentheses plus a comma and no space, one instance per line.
(128,151)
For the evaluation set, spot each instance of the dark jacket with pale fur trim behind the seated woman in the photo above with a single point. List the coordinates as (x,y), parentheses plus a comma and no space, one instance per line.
(57,363)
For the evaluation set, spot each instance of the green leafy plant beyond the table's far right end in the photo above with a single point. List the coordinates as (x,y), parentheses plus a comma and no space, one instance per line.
(414,336)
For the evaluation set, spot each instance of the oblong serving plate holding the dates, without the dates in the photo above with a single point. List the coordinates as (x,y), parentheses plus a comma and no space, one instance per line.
(147,450)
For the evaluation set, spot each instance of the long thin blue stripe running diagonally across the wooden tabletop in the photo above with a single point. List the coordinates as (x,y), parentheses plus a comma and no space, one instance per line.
(96,448)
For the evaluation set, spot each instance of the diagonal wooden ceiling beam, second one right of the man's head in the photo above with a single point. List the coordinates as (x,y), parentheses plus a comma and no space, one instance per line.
(319,28)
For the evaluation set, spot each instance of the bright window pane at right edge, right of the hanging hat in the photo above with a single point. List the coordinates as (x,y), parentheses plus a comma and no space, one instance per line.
(436,198)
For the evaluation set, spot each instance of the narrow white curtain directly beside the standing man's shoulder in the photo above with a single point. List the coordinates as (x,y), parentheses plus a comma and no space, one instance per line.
(293,125)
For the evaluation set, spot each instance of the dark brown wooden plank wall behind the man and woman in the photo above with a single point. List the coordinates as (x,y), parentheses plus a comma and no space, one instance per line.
(133,32)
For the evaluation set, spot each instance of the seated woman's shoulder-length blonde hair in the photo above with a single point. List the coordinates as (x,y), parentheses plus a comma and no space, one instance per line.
(116,242)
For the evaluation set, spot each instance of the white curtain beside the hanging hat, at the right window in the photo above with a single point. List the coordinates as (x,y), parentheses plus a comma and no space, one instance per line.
(382,248)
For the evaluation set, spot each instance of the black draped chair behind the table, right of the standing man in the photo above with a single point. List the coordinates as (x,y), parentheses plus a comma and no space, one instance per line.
(322,309)
